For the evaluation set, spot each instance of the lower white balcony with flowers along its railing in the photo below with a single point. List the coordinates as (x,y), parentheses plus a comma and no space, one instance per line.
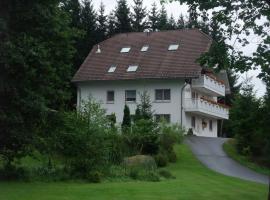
(206,108)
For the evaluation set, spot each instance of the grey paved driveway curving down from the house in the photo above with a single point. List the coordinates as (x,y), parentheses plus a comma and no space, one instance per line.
(209,151)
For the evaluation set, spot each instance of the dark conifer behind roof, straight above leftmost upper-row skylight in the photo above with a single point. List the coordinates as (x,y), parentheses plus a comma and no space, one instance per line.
(123,20)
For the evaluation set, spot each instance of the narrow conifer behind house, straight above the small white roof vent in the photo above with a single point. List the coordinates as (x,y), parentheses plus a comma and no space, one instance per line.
(102,23)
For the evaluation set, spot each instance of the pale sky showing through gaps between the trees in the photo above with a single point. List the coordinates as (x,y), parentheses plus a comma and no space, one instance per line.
(176,9)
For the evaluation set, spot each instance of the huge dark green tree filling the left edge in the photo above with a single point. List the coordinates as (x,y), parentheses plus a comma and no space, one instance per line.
(36,56)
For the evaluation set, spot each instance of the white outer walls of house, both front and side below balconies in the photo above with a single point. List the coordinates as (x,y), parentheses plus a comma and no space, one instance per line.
(98,90)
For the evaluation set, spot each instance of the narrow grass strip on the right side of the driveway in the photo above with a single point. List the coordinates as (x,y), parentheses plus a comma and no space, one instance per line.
(230,149)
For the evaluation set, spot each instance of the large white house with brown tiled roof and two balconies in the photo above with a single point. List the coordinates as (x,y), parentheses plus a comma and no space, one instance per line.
(164,64)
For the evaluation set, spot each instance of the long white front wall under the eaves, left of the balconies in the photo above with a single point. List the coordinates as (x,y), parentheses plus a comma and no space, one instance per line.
(98,90)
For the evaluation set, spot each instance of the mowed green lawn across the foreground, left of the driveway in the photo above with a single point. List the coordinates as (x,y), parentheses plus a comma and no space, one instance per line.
(193,181)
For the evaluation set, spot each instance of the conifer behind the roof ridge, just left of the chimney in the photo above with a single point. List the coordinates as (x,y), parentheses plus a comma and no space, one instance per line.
(138,16)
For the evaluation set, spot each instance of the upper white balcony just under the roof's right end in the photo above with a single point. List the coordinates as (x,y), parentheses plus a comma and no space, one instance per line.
(209,85)
